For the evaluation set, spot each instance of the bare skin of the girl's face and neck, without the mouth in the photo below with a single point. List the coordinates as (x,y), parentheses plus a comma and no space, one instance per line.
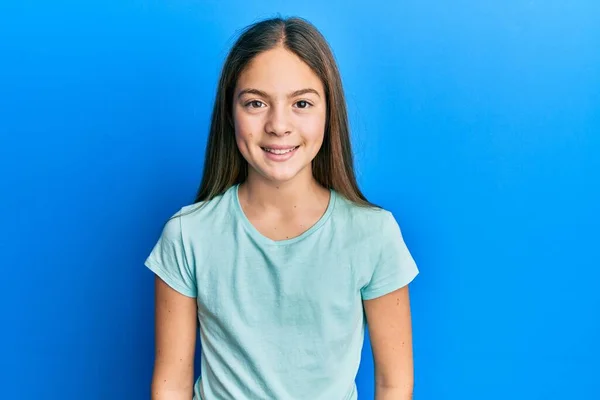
(281,199)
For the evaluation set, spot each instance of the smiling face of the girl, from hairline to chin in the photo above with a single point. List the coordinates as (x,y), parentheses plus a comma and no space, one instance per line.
(279,113)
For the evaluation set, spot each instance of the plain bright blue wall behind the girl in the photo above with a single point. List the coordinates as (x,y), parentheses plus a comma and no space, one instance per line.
(476,122)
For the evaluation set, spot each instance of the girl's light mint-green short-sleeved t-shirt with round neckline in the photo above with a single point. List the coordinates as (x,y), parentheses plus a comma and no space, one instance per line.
(284,319)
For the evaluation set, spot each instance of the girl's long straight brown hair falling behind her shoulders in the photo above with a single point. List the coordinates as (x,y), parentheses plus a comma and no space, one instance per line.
(333,165)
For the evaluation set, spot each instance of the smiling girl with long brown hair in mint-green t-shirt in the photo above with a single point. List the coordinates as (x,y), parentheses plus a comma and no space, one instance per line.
(280,259)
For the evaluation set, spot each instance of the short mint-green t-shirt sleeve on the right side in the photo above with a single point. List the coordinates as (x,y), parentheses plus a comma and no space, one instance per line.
(394,267)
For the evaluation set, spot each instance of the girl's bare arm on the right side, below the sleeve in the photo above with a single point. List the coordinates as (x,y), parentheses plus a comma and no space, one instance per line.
(390,330)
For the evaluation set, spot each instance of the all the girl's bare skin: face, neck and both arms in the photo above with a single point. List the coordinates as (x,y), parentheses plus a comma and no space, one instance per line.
(282,200)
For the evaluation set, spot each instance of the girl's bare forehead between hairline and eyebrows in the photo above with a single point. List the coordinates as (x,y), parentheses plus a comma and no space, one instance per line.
(278,70)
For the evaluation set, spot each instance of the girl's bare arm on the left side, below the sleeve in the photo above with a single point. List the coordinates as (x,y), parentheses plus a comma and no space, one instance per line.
(175,343)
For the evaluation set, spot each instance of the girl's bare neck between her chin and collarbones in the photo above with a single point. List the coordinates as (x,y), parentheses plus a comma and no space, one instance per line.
(288,196)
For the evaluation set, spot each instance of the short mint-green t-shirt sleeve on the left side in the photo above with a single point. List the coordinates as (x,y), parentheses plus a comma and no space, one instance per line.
(168,260)
